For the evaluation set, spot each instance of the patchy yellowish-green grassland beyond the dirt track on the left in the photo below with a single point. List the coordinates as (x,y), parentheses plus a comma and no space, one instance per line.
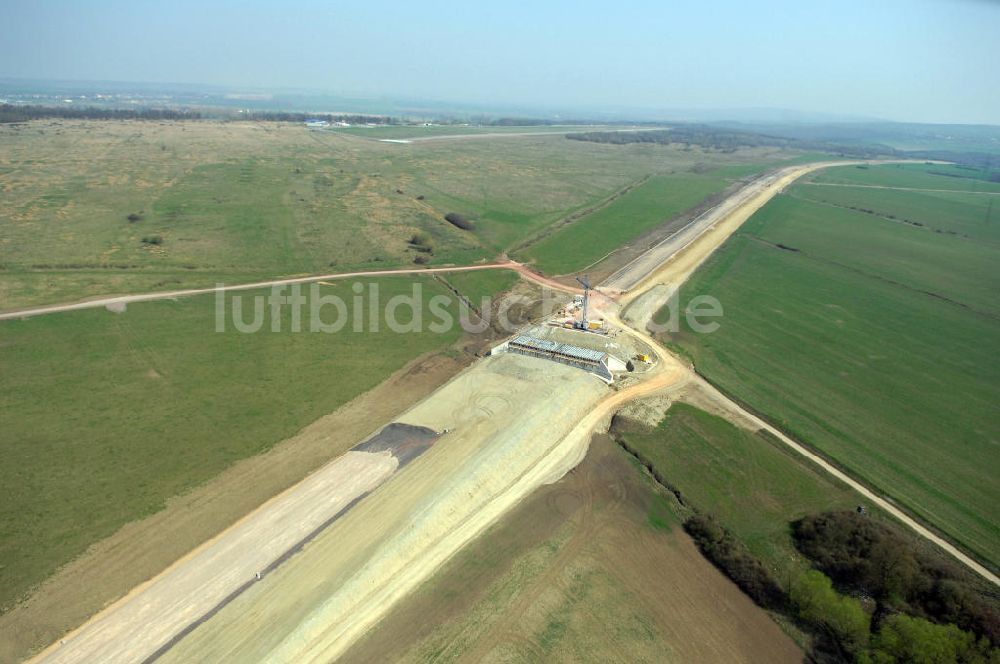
(110,207)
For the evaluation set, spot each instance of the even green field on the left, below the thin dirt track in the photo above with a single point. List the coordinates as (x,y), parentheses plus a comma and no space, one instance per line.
(109,415)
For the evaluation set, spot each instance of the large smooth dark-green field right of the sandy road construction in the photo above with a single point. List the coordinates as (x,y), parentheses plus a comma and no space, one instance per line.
(871,339)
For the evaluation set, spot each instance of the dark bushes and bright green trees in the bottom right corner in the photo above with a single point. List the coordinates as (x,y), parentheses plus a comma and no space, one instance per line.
(923,610)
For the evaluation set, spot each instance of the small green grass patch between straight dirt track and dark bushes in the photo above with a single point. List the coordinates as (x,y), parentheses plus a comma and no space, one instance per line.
(753,486)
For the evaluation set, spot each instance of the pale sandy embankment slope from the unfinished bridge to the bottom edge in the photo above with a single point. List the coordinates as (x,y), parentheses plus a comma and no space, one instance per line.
(514,422)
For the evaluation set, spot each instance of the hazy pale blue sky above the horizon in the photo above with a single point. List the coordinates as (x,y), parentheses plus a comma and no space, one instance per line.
(921,60)
